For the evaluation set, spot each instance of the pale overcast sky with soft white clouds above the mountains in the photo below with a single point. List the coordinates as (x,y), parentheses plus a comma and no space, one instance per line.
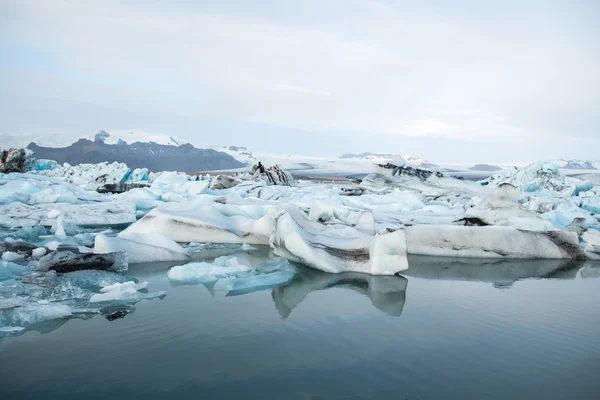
(508,81)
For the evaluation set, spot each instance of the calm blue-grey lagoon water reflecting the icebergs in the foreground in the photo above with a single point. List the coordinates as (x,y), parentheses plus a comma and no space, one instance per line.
(446,329)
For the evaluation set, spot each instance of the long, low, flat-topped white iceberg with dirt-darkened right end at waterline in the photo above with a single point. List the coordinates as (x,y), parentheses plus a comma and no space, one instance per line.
(490,242)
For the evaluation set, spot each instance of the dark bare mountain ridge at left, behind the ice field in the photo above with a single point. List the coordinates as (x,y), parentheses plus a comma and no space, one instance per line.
(156,157)
